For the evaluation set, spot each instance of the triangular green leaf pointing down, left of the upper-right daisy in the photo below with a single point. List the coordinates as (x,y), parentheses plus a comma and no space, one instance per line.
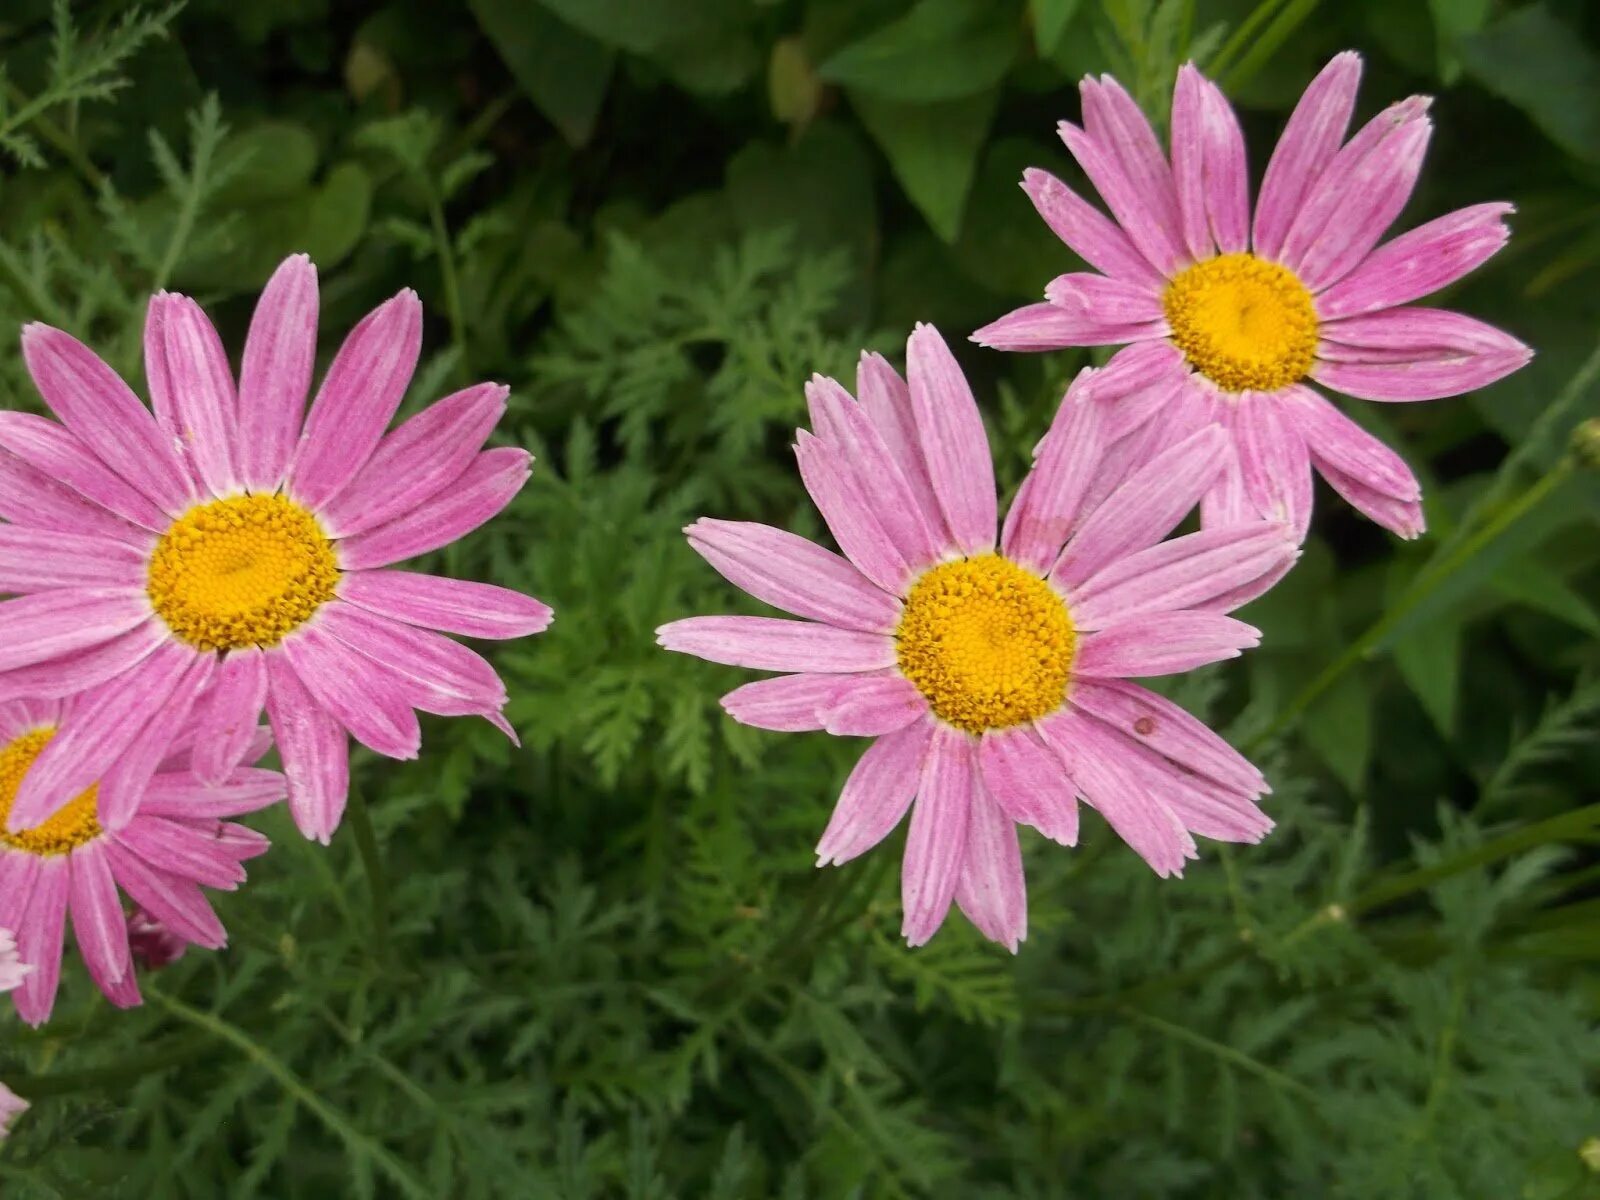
(932,148)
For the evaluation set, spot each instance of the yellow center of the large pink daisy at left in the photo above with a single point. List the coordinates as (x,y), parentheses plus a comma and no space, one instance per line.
(242,572)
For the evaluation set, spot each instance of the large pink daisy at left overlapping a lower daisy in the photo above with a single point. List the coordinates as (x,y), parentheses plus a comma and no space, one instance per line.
(225,554)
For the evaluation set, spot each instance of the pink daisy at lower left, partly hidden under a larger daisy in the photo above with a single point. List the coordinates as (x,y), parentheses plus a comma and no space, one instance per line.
(76,862)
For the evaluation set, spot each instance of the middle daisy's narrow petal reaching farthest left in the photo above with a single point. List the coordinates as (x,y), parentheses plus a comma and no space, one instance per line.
(772,644)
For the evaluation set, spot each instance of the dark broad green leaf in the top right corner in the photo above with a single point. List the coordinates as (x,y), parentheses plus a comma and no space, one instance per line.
(1543,66)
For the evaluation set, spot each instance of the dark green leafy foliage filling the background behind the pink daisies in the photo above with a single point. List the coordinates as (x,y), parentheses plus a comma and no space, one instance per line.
(602,966)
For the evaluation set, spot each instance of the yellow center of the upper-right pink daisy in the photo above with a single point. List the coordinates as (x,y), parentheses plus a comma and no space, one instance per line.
(1246,324)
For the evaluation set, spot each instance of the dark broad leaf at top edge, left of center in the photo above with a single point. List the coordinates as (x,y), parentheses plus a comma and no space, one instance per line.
(562,71)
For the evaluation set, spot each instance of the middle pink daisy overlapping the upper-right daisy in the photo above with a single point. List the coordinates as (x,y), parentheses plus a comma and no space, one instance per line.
(994,678)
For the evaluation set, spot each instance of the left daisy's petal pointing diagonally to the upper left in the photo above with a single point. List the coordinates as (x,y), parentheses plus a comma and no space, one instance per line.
(95,404)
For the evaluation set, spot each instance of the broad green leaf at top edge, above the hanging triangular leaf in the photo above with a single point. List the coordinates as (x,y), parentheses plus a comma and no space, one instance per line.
(942,50)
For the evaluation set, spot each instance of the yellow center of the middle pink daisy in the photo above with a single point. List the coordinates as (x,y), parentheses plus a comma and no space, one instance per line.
(988,642)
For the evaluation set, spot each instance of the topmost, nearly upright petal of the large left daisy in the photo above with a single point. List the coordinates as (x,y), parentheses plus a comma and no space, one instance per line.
(276,375)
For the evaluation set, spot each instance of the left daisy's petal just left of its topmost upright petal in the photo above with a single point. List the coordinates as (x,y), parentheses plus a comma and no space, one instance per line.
(204,401)
